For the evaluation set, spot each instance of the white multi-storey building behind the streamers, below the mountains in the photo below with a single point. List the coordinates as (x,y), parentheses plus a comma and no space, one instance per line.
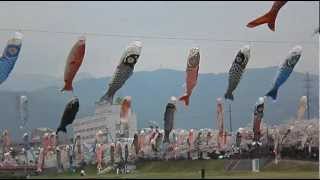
(107,119)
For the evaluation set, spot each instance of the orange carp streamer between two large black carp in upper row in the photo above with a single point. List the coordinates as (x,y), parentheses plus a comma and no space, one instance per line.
(192,74)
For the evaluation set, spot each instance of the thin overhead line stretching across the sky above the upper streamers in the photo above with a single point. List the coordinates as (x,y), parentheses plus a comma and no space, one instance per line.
(157,37)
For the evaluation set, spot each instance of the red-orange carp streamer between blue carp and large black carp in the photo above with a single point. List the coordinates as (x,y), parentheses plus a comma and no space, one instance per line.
(73,63)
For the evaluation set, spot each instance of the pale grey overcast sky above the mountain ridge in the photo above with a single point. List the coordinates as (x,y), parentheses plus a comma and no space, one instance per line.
(45,53)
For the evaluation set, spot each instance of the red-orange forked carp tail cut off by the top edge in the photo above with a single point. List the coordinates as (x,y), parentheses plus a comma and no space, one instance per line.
(268,18)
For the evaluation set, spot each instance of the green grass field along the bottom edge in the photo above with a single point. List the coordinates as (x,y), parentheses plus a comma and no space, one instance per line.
(191,169)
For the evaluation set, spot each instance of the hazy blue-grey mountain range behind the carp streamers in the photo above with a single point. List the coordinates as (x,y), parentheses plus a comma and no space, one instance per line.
(151,91)
